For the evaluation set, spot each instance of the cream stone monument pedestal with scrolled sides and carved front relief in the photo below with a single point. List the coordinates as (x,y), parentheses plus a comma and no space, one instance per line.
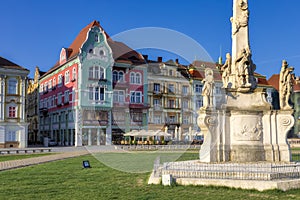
(245,130)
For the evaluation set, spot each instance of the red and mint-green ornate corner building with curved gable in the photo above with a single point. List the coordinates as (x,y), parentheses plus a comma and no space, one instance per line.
(94,93)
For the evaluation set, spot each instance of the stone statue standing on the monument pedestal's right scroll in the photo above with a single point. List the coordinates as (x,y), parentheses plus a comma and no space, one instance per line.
(285,85)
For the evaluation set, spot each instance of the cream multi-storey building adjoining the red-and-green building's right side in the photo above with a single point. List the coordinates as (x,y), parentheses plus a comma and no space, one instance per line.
(169,97)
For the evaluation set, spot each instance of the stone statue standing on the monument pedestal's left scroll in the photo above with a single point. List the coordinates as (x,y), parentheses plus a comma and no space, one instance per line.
(207,91)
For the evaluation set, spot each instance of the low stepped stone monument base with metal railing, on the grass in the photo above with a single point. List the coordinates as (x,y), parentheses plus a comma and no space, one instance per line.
(259,176)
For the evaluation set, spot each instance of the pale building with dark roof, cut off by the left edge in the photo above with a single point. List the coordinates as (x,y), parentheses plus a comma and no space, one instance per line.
(13,125)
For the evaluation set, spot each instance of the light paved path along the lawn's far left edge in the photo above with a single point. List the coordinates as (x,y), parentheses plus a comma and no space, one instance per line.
(60,153)
